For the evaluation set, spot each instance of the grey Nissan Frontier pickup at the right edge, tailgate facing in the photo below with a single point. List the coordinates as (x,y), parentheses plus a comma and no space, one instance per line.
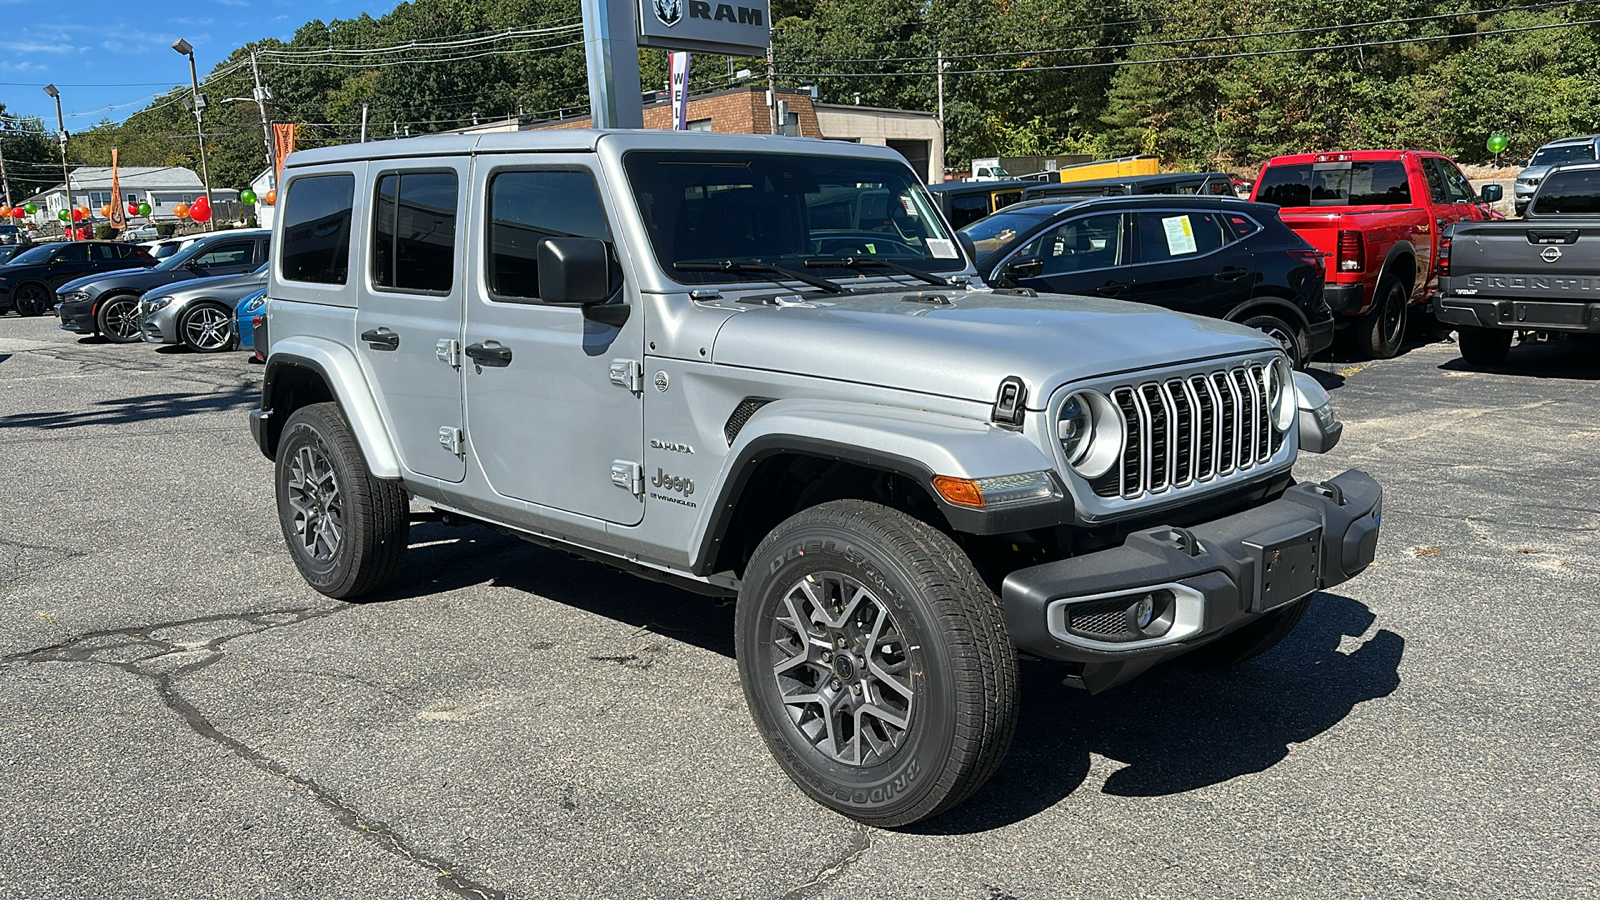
(1538,276)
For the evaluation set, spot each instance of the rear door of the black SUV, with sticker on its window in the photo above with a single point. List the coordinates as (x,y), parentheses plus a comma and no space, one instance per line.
(1190,262)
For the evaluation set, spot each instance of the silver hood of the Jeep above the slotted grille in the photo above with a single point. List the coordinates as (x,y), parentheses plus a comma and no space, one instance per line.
(964,350)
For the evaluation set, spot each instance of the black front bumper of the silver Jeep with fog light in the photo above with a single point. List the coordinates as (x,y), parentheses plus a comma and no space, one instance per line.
(1217,577)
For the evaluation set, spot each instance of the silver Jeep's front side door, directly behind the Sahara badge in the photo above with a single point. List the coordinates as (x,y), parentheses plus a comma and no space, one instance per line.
(550,408)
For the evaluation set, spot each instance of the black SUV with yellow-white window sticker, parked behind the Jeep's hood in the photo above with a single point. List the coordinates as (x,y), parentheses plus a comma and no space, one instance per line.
(1204,255)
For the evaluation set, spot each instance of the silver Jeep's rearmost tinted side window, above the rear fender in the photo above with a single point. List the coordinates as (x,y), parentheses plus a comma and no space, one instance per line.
(318,230)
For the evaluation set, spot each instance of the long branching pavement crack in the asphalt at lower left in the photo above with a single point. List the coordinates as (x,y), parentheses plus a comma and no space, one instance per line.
(119,648)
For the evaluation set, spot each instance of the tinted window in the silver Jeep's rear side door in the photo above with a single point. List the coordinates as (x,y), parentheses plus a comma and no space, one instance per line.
(415,231)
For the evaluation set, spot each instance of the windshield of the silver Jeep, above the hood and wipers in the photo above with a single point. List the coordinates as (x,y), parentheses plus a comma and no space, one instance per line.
(783,211)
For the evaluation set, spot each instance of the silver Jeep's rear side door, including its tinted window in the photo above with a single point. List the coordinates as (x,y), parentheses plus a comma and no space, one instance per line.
(409,307)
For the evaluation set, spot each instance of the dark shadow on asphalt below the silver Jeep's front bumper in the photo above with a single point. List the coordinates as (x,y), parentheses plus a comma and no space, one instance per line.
(1175,729)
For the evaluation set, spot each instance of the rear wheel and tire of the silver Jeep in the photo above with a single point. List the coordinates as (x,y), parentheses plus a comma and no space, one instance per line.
(372,516)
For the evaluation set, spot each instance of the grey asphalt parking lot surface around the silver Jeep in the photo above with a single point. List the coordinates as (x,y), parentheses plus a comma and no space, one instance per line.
(180,717)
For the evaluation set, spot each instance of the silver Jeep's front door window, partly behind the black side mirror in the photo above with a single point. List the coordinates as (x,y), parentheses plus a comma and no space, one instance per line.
(529,206)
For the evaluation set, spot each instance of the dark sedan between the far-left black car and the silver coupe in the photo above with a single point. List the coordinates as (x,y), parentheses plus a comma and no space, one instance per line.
(110,305)
